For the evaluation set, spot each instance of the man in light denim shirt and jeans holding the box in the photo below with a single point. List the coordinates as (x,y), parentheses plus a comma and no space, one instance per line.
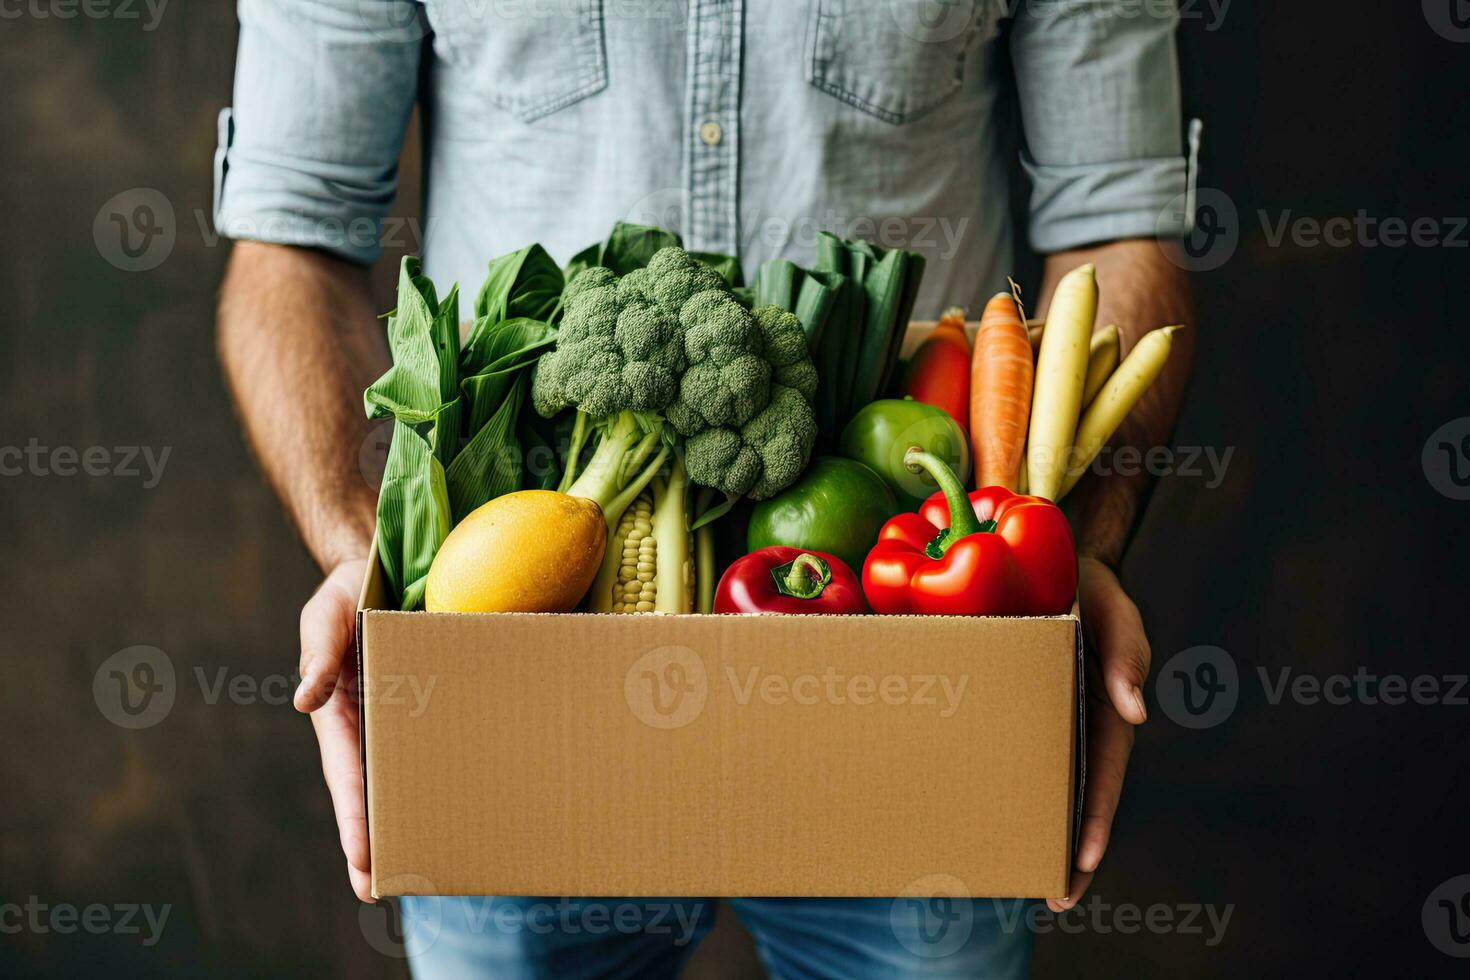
(747,126)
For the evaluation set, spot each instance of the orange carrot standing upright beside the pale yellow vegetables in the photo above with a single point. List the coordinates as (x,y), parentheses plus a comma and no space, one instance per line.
(1000,393)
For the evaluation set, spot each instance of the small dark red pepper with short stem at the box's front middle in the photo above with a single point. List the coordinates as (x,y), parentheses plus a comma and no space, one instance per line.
(790,581)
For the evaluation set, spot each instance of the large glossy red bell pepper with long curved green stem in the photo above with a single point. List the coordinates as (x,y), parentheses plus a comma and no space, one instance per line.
(990,553)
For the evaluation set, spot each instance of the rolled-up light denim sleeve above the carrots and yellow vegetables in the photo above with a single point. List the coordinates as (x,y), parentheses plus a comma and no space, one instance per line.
(1099,84)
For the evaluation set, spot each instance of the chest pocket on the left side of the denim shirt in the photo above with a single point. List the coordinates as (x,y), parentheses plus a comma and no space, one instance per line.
(527,58)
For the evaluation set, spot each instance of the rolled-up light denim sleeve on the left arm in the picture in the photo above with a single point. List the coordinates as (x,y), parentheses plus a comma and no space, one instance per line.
(309,152)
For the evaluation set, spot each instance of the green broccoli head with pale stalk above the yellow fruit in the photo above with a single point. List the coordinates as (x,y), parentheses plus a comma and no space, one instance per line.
(671,345)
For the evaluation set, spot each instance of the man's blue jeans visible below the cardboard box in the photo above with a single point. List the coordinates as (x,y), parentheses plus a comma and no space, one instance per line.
(584,938)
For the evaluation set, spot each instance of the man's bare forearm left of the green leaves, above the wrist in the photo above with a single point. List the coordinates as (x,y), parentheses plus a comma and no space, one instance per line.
(299,345)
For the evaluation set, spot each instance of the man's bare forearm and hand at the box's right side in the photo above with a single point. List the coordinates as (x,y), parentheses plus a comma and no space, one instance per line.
(1139,290)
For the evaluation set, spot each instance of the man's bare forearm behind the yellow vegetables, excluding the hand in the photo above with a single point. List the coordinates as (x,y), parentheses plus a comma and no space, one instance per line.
(1139,290)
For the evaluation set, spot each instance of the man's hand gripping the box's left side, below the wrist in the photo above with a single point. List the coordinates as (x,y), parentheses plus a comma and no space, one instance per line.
(329,693)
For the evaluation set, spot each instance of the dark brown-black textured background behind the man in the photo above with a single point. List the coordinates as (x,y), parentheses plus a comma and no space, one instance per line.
(1327,549)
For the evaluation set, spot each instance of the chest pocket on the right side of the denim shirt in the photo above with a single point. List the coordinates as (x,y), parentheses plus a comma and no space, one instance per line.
(896,60)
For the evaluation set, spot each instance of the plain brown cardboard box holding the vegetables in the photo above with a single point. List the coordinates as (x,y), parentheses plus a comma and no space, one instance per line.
(720,756)
